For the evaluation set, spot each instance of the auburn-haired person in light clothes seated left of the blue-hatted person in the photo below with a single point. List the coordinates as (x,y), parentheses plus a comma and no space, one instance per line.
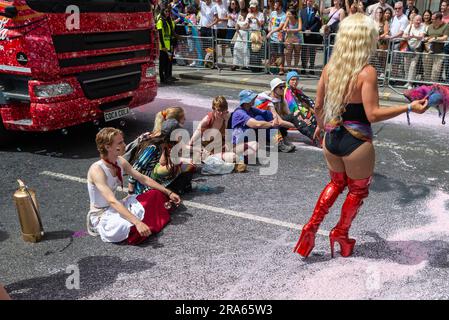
(213,141)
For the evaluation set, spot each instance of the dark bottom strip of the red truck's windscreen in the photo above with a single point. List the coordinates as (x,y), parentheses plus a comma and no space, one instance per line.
(117,6)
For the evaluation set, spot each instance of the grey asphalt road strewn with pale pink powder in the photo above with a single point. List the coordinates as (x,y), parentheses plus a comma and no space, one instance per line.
(236,242)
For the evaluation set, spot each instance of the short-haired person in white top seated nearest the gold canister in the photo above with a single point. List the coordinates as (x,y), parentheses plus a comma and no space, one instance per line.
(134,218)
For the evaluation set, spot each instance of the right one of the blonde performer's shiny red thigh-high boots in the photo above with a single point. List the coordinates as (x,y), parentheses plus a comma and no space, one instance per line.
(358,190)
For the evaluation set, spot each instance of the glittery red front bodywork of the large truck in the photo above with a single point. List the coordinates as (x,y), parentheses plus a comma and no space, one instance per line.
(105,62)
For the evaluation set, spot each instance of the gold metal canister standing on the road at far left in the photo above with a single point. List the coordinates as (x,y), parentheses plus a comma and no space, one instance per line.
(28,211)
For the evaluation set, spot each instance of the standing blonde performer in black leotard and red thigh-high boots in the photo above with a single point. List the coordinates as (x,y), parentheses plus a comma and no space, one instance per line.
(347,103)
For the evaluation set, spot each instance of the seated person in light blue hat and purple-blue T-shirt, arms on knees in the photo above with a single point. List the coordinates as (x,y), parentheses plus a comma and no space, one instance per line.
(247,117)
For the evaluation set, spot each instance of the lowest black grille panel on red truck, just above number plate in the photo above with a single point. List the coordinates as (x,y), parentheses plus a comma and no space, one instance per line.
(103,83)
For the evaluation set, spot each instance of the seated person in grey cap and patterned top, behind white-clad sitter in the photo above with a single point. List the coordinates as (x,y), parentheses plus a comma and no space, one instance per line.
(153,158)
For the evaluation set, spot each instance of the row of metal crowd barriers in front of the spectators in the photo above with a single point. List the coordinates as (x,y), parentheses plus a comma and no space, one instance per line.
(310,55)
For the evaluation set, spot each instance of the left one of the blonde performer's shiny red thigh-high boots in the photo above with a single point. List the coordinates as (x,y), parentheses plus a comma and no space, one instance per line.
(327,198)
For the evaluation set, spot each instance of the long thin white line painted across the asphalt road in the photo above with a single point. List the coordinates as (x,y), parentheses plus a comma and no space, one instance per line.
(202,206)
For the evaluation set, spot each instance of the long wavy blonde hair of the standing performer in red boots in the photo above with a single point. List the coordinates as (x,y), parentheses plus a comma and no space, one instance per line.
(356,41)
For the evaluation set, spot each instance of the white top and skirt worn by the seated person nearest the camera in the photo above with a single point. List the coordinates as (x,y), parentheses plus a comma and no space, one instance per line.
(106,221)
